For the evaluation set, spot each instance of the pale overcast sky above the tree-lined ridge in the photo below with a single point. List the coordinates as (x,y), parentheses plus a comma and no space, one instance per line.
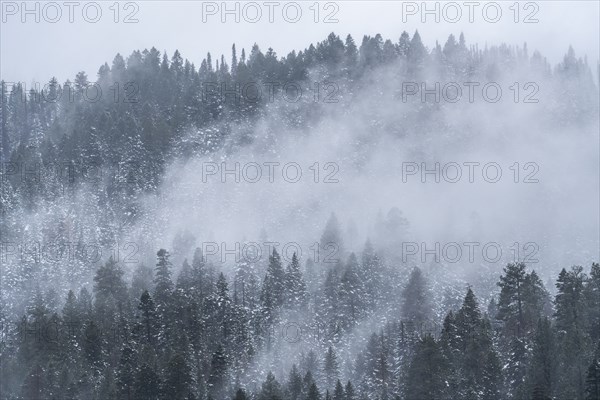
(36,51)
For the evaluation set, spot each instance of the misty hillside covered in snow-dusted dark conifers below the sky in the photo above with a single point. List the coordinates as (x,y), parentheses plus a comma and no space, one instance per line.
(112,287)
